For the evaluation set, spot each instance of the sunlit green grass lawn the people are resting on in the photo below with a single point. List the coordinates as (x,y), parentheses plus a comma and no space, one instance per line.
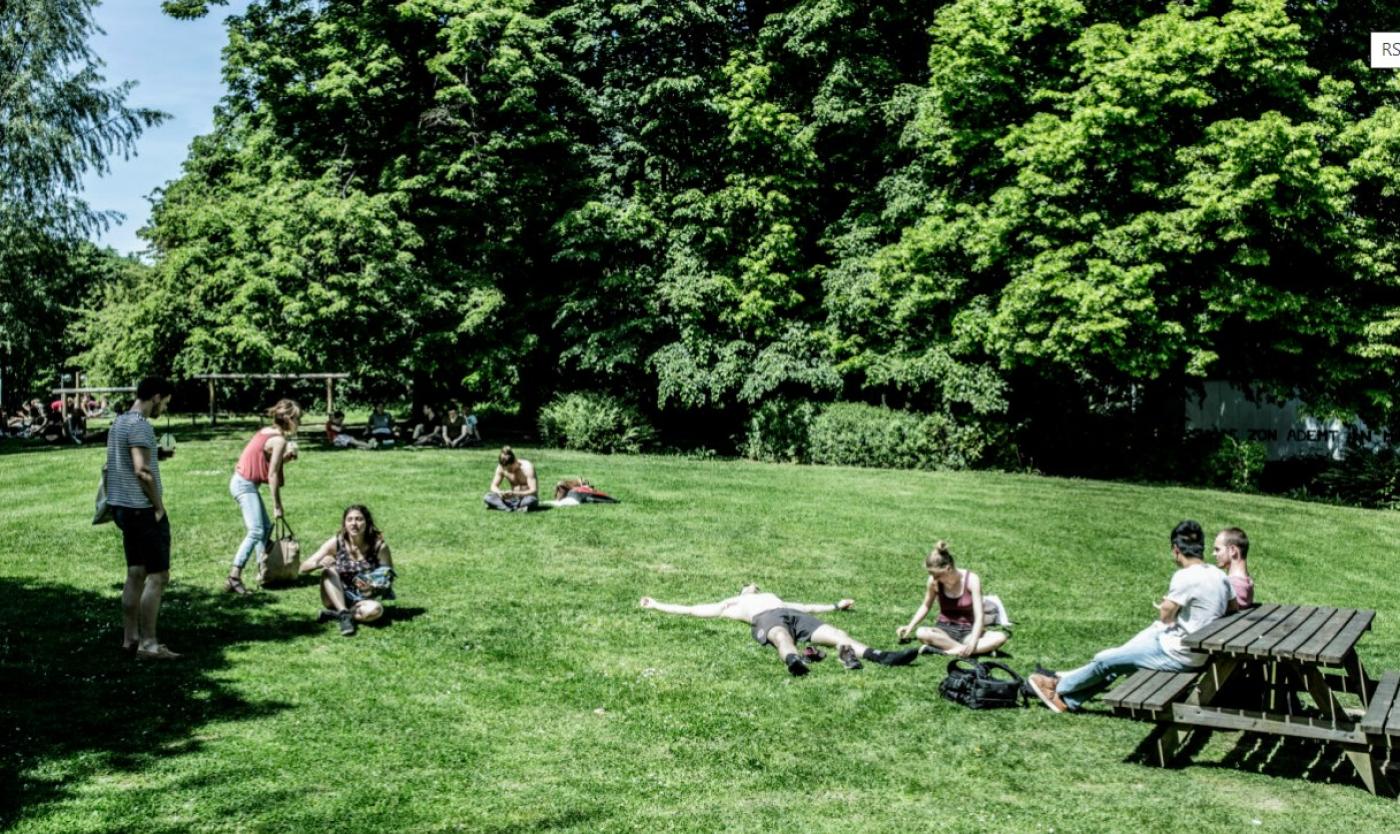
(519,688)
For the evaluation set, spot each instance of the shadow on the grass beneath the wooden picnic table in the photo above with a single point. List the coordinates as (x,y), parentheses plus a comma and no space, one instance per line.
(1265,755)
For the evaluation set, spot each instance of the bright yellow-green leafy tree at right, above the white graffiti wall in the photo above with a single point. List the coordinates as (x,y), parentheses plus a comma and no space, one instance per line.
(1122,198)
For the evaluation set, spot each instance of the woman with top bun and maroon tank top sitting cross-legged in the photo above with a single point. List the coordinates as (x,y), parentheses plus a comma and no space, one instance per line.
(961,630)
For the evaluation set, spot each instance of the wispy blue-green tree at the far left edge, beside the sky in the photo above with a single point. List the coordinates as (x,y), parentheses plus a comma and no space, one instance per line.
(58,121)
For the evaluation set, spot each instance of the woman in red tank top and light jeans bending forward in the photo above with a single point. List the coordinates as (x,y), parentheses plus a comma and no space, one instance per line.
(262,462)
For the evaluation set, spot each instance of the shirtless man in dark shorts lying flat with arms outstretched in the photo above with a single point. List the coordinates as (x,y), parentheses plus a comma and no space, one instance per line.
(783,625)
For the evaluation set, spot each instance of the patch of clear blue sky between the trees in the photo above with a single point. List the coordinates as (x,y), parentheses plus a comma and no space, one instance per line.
(176,65)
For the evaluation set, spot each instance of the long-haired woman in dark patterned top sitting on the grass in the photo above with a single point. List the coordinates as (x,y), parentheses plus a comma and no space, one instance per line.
(355,569)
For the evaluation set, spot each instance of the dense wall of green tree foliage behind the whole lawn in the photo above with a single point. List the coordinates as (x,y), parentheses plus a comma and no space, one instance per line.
(1009,213)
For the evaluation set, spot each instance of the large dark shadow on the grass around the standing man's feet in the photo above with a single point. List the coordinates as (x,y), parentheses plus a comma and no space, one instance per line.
(72,700)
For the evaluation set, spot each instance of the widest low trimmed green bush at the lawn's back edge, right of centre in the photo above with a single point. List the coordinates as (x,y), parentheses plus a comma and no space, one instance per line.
(856,434)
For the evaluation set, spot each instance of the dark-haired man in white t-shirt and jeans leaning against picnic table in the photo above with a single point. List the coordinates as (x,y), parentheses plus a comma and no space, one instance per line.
(1198,597)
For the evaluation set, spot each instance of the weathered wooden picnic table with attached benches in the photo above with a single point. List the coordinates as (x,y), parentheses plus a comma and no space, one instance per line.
(1261,664)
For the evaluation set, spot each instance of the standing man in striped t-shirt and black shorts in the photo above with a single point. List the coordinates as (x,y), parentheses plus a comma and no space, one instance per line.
(135,495)
